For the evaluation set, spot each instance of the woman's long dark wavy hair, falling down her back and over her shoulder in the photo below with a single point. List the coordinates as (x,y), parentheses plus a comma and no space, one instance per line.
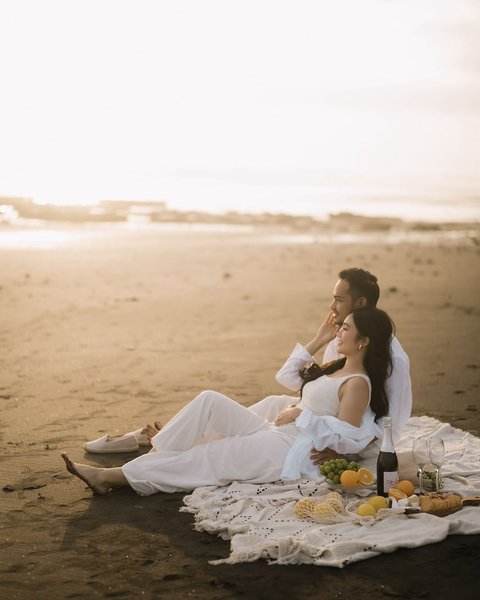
(378,327)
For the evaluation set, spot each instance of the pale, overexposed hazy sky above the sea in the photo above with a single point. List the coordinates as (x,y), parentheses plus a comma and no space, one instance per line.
(118,99)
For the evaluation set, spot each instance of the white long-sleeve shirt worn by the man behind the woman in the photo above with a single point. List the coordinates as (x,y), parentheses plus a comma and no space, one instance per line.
(398,386)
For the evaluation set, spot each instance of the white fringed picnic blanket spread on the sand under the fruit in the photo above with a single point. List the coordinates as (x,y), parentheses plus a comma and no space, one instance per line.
(261,523)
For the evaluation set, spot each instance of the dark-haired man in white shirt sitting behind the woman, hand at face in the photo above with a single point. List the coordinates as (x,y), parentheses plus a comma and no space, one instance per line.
(356,288)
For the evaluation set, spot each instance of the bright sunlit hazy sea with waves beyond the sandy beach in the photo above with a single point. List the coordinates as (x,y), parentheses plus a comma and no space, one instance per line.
(229,194)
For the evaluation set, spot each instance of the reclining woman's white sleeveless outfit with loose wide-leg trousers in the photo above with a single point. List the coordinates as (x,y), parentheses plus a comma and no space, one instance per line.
(214,441)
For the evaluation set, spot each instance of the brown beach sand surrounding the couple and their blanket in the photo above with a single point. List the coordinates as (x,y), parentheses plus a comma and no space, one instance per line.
(113,328)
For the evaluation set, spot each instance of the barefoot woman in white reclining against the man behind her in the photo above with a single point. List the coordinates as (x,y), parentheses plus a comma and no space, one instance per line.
(214,440)
